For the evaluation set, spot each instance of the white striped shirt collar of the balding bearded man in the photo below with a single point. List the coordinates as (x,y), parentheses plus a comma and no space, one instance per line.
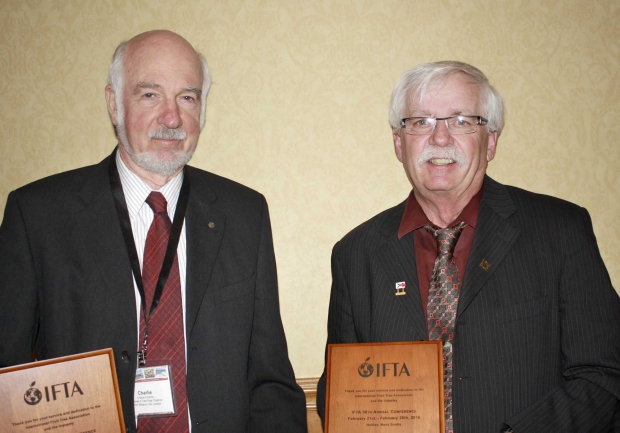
(136,190)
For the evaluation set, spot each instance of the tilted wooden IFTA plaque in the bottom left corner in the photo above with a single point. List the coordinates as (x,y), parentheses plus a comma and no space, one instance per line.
(77,393)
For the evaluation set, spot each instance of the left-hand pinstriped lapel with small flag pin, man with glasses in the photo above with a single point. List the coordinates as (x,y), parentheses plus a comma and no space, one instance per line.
(397,259)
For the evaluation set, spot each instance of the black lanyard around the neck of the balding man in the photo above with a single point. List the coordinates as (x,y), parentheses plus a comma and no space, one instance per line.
(171,249)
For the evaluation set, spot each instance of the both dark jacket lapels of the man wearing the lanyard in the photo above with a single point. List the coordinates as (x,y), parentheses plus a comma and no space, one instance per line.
(97,220)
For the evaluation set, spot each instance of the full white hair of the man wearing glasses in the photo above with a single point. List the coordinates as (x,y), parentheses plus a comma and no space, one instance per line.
(414,84)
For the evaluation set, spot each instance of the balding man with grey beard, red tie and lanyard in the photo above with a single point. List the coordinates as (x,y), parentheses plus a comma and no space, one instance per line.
(171,266)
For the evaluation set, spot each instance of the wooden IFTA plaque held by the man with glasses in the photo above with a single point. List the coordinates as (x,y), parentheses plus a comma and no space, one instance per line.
(385,387)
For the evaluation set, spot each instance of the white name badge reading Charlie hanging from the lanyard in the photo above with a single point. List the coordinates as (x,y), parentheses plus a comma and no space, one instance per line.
(153,395)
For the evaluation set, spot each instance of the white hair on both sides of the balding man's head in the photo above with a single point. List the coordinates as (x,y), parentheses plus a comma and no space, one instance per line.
(116,78)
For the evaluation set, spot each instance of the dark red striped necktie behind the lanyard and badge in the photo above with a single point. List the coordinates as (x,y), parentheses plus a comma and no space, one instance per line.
(165,340)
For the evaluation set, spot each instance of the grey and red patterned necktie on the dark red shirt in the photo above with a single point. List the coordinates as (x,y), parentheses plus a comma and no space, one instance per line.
(443,298)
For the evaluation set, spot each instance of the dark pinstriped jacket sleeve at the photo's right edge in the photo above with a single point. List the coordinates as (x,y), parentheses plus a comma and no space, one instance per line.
(587,398)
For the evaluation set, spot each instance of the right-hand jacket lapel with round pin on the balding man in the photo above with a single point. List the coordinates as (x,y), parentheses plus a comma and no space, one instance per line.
(205,228)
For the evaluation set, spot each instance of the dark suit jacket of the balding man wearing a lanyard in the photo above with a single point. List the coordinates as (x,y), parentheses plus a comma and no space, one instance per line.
(66,287)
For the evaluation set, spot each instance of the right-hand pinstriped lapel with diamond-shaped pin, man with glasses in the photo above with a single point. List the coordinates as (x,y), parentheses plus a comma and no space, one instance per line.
(493,239)
